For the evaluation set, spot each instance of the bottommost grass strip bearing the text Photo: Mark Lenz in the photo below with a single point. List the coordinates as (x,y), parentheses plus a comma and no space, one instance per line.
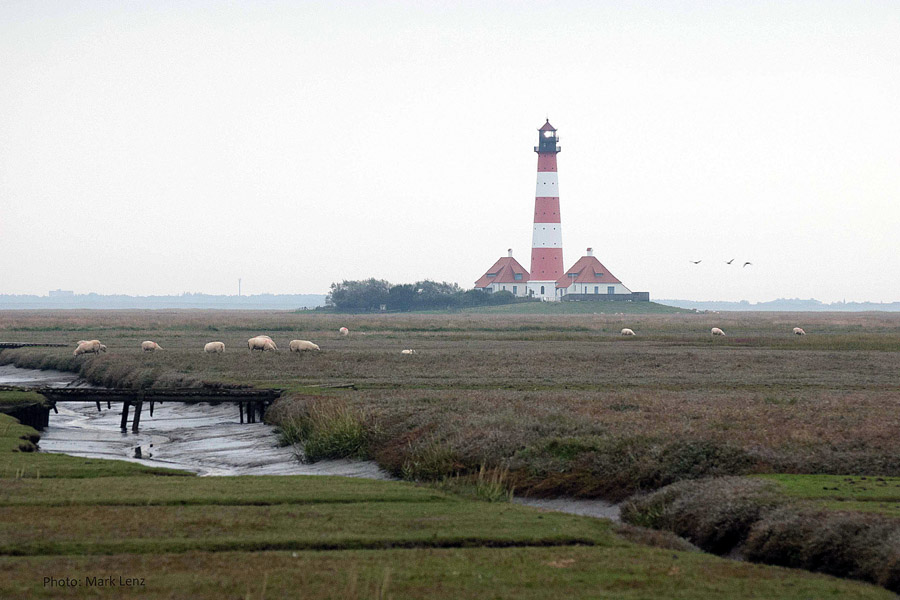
(607,573)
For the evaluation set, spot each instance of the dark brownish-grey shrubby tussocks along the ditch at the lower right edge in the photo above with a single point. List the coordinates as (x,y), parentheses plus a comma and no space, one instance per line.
(752,517)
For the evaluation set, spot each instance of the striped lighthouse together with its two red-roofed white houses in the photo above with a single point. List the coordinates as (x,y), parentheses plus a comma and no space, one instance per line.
(588,279)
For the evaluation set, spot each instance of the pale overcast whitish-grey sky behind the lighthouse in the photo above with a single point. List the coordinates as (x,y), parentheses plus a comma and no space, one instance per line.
(168,147)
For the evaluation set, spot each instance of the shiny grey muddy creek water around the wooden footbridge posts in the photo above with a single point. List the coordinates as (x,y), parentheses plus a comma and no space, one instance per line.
(204,438)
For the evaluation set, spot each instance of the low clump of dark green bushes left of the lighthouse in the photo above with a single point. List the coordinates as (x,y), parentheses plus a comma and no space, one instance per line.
(369,295)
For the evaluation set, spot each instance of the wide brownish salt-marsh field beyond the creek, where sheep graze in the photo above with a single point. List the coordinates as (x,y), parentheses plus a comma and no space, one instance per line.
(557,404)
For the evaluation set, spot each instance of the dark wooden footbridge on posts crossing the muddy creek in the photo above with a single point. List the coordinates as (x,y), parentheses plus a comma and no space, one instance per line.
(252,403)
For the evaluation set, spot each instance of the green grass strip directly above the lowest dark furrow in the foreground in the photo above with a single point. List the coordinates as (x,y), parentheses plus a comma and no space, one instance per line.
(158,529)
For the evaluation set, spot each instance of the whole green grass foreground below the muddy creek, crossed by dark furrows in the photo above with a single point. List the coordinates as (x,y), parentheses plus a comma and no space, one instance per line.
(145,535)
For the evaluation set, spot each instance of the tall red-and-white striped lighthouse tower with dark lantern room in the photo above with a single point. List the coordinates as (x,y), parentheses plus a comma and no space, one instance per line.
(546,240)
